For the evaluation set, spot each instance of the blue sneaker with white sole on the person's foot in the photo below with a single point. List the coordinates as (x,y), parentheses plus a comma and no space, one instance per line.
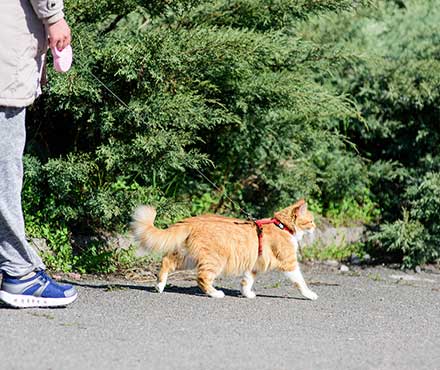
(38,291)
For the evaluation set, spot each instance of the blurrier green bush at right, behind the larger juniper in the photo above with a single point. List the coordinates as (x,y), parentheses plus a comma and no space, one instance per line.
(395,82)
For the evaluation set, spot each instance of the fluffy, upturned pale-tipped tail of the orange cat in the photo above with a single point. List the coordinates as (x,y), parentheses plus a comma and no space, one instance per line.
(152,238)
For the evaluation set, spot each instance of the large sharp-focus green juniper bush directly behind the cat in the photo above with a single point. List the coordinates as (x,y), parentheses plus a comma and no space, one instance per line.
(189,85)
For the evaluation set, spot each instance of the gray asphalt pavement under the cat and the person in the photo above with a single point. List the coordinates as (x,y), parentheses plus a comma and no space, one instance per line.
(368,319)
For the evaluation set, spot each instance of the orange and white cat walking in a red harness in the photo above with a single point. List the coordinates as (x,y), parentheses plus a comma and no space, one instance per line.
(220,245)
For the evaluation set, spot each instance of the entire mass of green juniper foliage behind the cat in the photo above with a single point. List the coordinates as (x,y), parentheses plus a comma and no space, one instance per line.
(271,100)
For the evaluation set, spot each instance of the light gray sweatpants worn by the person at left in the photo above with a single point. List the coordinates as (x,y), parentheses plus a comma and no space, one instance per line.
(17,258)
